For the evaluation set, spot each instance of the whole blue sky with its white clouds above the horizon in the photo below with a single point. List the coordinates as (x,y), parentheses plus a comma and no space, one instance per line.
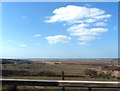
(59,30)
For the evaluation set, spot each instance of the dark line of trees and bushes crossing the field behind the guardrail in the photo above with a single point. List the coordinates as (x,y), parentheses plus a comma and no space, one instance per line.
(88,73)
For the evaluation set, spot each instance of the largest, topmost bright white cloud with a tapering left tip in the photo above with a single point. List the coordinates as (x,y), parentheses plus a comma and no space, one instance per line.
(71,13)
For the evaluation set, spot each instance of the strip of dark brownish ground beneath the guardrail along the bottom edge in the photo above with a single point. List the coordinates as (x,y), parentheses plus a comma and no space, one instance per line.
(39,88)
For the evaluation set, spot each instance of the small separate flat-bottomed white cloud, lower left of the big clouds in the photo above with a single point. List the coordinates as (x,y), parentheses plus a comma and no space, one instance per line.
(58,39)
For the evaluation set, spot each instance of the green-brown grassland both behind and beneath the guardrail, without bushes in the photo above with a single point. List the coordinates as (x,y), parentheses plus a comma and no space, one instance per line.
(41,70)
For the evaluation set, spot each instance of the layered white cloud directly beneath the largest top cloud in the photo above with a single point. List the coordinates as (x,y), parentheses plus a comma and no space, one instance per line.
(84,33)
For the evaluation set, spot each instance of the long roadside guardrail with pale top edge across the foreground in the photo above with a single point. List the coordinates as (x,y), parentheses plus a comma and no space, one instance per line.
(61,83)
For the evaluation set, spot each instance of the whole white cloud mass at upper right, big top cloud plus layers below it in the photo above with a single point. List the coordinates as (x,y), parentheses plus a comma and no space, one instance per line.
(85,22)
